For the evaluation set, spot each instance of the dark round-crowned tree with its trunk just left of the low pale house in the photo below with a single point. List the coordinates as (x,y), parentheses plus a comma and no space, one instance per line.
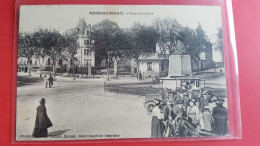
(142,40)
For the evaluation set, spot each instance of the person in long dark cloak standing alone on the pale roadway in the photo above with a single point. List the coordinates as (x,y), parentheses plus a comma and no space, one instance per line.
(42,121)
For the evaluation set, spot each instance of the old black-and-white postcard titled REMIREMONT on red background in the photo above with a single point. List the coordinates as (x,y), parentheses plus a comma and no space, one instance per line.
(120,71)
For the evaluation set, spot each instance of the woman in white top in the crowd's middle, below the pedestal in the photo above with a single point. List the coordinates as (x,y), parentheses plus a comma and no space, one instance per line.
(193,112)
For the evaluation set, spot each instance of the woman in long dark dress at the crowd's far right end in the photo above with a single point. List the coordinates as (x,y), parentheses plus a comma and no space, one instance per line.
(220,116)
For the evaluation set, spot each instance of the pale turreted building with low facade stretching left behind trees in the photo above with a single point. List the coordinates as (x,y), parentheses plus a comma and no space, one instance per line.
(85,55)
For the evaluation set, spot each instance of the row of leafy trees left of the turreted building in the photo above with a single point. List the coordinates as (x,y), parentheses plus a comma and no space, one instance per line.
(47,43)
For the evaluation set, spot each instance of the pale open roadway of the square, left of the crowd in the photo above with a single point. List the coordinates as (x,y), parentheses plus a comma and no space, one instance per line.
(83,107)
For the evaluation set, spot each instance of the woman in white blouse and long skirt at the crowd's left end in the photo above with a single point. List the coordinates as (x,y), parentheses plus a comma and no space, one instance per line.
(157,124)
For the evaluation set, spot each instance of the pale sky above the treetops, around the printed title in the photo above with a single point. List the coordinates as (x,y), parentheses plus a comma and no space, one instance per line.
(64,17)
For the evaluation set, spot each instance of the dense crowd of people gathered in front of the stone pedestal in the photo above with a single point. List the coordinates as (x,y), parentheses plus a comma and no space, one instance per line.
(182,115)
